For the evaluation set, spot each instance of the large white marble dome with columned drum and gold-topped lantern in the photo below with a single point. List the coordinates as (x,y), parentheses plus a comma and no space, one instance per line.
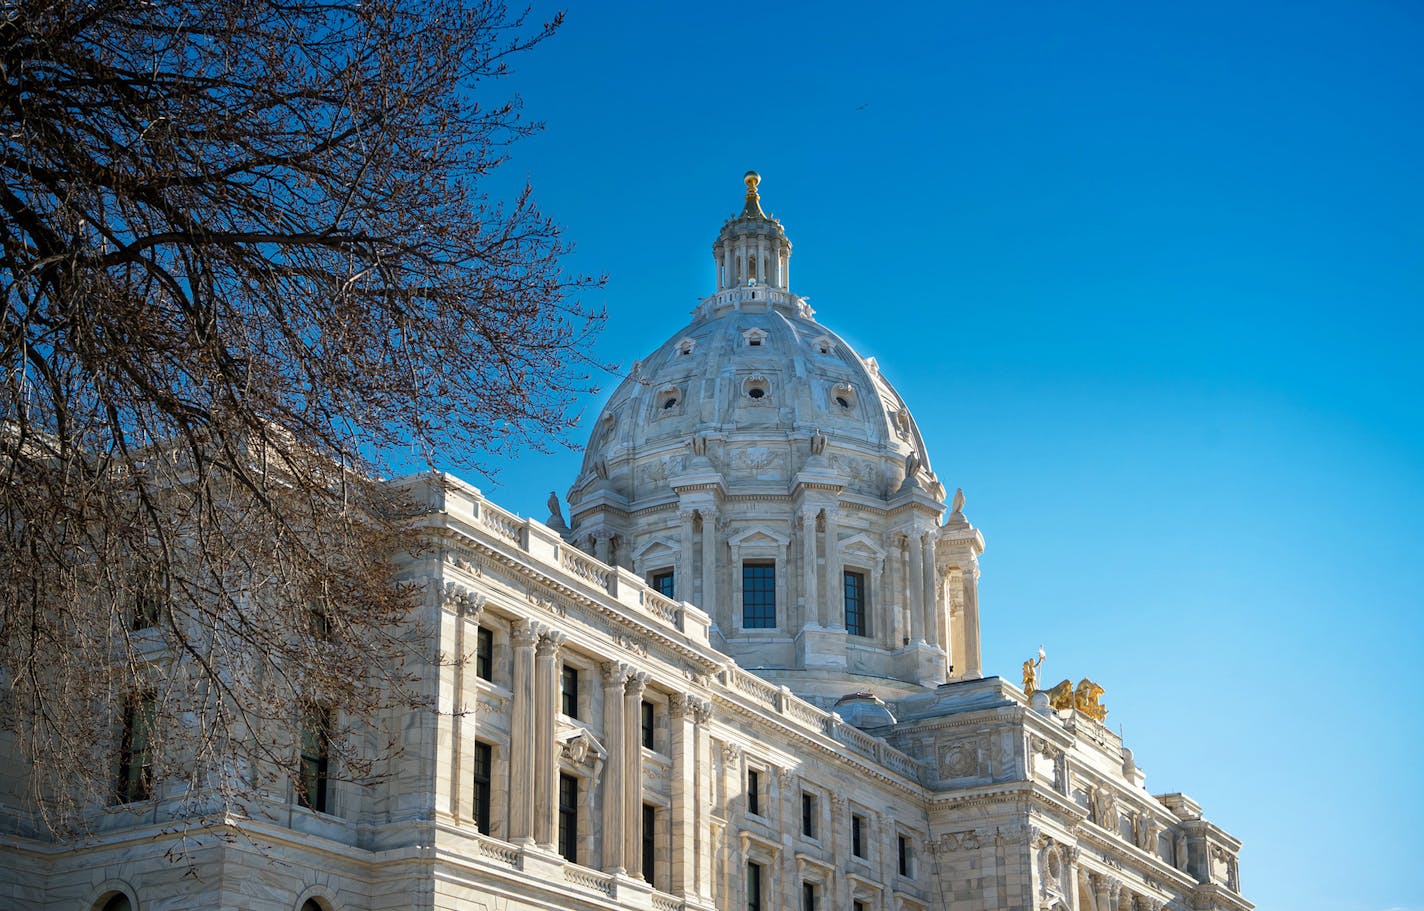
(761,469)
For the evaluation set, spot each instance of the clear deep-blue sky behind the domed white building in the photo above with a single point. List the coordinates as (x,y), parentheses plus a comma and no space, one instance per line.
(1150,278)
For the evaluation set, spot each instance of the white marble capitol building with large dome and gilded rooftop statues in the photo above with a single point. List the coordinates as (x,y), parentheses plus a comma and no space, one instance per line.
(737,670)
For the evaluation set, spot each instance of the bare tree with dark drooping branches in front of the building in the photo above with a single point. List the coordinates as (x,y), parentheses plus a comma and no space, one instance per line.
(246,253)
